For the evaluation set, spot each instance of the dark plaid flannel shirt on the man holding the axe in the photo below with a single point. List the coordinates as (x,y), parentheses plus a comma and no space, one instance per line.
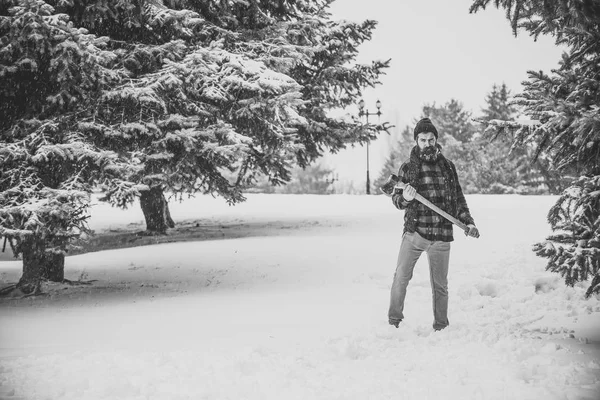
(434,187)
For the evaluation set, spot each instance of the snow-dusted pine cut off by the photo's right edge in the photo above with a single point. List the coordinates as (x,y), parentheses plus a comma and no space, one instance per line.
(566,106)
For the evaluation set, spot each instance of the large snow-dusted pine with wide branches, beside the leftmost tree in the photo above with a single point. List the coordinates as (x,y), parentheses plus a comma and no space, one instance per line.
(219,92)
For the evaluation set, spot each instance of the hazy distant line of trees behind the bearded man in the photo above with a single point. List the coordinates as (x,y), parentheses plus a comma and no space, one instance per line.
(485,164)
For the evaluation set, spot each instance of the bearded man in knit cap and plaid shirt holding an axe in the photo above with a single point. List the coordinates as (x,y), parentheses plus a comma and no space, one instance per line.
(434,177)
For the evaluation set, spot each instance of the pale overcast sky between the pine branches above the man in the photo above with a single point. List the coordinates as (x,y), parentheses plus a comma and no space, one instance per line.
(438,51)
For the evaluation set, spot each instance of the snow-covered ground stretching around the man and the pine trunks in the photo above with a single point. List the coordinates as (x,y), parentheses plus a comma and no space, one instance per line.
(297,309)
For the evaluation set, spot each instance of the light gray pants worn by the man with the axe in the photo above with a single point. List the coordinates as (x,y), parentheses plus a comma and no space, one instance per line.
(438,254)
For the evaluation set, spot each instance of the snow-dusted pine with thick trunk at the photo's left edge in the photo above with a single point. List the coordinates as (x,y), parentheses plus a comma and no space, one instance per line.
(49,72)
